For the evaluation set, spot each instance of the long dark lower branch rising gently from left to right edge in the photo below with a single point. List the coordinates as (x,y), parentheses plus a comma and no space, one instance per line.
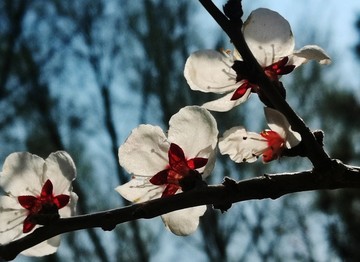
(267,186)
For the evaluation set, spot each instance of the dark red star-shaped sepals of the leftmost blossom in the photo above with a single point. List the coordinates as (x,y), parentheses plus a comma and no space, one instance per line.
(44,204)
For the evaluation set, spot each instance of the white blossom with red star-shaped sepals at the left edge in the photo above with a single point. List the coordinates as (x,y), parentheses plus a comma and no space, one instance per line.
(37,191)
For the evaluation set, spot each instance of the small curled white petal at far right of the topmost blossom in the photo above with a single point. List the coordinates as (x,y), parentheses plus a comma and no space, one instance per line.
(307,53)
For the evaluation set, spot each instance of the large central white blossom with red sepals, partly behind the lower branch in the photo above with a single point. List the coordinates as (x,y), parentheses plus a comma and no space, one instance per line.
(163,165)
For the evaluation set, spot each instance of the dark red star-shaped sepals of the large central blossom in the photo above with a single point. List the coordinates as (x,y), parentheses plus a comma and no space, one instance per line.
(180,173)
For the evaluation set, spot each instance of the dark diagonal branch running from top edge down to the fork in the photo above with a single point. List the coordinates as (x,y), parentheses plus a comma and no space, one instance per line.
(233,28)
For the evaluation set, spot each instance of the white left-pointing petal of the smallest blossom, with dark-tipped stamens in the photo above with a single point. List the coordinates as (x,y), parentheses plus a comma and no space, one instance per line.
(242,146)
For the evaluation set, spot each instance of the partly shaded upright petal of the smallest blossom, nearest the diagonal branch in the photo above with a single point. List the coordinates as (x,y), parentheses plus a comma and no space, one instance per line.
(278,123)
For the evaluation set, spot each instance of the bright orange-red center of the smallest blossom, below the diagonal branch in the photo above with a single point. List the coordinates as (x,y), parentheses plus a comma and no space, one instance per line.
(275,145)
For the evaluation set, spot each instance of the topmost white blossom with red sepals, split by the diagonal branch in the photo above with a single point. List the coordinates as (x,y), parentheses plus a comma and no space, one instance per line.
(271,41)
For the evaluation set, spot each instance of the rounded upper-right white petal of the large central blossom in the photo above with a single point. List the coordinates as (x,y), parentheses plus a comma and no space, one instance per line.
(194,129)
